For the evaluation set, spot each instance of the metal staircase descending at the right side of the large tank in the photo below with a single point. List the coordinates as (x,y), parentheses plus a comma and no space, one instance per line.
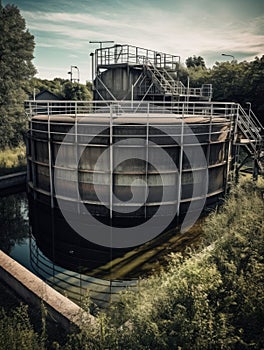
(249,133)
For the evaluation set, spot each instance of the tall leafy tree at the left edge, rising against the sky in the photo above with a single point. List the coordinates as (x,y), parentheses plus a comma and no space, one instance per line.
(16,69)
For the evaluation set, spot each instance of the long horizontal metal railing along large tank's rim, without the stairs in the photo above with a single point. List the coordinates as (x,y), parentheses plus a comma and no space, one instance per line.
(132,109)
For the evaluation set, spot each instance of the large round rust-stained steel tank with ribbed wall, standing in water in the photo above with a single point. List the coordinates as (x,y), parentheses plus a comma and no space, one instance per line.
(105,179)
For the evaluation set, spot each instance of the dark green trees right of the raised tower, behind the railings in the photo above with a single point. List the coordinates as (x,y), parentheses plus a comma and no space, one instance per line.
(234,81)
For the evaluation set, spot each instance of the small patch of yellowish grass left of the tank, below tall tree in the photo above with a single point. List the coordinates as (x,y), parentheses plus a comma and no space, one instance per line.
(12,160)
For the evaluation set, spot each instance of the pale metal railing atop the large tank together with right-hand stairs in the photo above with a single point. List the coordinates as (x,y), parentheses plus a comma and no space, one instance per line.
(243,124)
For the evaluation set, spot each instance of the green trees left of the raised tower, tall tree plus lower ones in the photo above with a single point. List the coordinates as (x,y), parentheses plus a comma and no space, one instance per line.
(17,82)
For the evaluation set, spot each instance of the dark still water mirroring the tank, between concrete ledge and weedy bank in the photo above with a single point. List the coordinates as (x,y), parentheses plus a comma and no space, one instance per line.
(40,241)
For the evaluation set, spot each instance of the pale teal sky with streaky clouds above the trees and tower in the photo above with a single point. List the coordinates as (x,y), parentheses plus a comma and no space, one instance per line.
(207,28)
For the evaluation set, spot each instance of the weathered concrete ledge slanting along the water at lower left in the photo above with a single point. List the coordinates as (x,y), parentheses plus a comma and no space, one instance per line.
(33,290)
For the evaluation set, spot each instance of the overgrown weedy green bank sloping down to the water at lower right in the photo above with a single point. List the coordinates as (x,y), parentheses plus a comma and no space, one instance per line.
(210,298)
